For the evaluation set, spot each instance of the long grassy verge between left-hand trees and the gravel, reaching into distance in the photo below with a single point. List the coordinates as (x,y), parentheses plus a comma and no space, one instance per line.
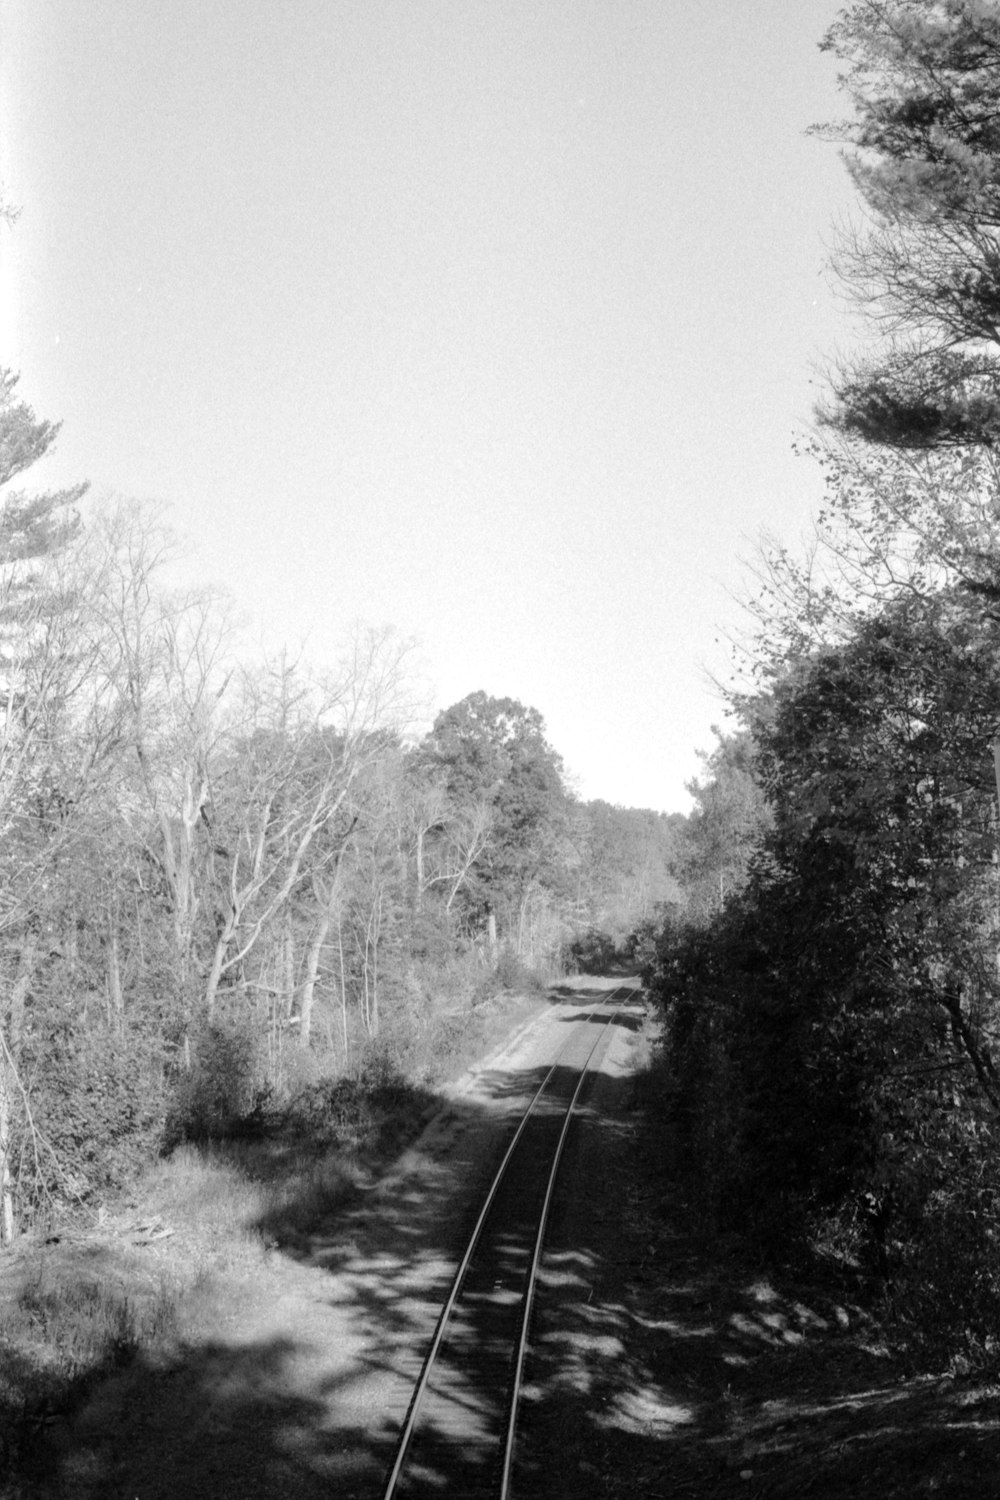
(202,1229)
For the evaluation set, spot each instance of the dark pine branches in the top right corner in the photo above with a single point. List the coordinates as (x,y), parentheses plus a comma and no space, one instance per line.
(924,80)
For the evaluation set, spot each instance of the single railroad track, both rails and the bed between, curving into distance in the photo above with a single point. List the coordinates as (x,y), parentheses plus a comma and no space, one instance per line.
(458,1436)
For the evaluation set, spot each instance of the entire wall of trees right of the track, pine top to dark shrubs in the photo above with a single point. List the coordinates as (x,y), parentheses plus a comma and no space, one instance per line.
(833,1001)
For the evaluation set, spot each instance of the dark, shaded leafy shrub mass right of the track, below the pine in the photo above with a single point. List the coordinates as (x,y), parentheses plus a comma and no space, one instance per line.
(831,1031)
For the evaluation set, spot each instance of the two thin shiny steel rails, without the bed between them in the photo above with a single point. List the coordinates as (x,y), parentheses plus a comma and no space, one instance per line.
(413,1415)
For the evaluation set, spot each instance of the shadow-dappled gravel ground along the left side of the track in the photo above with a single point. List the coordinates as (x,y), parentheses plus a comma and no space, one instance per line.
(307,1397)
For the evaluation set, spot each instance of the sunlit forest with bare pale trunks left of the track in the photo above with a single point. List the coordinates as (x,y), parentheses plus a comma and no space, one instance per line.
(224,881)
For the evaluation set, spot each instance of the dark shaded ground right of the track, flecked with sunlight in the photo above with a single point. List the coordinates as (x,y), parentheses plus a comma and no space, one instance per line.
(657,1373)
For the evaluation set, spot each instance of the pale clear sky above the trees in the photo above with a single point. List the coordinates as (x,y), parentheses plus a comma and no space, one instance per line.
(493,320)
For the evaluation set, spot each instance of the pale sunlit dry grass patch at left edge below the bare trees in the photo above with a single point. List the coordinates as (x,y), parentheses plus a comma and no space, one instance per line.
(82,1304)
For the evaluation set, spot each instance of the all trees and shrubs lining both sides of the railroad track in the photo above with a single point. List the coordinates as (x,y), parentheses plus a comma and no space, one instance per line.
(227,880)
